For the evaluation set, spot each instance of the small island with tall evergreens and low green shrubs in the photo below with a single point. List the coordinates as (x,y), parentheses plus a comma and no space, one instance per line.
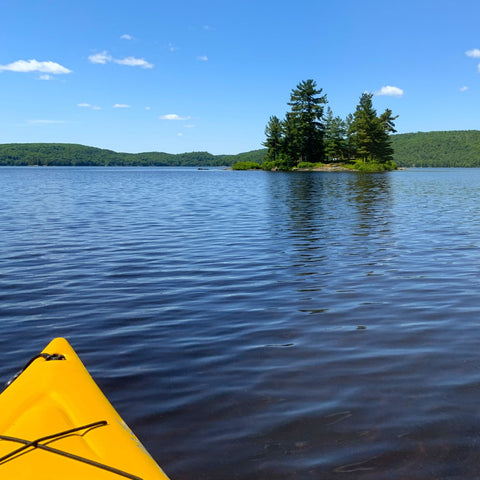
(312,138)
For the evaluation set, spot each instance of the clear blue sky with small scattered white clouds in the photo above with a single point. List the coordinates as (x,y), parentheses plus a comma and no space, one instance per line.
(145,75)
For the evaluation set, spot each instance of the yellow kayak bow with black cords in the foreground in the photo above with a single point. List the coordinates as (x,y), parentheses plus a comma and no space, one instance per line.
(55,423)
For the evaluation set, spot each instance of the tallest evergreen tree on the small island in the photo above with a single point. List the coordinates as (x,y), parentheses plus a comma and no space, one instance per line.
(307,105)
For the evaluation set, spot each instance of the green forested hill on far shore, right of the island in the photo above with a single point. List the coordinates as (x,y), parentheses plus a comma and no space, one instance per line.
(459,148)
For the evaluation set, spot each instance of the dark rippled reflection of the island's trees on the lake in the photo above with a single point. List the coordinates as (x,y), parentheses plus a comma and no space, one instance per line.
(334,229)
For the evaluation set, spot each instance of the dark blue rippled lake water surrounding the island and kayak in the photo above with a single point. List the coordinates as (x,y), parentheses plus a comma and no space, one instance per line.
(253,325)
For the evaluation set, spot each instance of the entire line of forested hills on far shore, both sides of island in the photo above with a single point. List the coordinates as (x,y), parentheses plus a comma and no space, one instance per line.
(422,149)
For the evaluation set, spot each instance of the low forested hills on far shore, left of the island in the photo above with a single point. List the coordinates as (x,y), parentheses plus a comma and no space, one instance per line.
(65,154)
